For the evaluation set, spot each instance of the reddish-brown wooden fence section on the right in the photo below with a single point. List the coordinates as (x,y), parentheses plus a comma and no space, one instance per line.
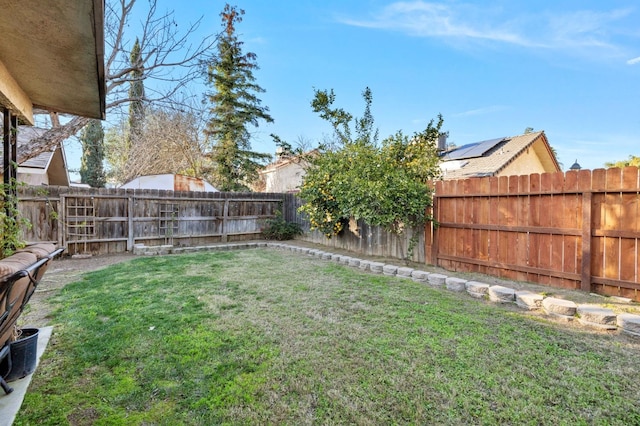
(577,230)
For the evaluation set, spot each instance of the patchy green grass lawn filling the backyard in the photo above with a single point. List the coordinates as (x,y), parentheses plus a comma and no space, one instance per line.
(267,337)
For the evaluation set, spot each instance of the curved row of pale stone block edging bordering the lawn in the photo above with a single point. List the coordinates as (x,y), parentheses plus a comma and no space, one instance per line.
(589,315)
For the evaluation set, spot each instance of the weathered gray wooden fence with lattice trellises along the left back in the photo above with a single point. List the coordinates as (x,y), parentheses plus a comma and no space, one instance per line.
(100,221)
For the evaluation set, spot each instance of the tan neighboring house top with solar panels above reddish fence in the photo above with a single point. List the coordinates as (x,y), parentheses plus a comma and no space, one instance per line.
(523,154)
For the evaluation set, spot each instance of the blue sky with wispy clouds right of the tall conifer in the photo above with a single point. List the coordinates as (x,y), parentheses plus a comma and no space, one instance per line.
(492,69)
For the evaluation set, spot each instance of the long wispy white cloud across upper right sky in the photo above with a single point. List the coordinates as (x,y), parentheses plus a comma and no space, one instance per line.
(576,31)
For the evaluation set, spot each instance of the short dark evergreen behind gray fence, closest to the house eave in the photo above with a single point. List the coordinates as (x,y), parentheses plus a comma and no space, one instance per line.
(91,165)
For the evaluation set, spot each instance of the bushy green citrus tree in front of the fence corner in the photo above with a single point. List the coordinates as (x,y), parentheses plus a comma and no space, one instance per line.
(383,184)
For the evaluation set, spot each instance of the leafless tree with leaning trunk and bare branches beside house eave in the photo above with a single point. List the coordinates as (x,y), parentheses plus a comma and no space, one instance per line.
(169,59)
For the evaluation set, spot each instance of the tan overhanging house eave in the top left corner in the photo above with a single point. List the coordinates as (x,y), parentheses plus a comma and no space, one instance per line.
(52,58)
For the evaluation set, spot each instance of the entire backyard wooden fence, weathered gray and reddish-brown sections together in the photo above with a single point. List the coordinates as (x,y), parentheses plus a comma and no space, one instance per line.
(577,230)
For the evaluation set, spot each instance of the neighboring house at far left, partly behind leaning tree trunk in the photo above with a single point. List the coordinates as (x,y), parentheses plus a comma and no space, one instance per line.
(50,165)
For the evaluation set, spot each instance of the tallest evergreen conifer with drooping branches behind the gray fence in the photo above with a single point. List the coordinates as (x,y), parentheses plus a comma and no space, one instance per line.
(234,106)
